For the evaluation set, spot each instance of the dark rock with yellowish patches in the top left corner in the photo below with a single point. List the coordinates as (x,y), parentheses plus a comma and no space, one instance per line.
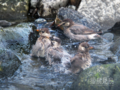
(14,9)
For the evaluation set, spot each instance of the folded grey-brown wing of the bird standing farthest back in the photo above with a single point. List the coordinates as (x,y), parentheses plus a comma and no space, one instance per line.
(80,29)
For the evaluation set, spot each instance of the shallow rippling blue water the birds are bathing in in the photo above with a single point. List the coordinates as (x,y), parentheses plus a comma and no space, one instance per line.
(36,74)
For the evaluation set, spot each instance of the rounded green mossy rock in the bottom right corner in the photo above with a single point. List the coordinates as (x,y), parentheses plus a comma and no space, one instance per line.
(101,77)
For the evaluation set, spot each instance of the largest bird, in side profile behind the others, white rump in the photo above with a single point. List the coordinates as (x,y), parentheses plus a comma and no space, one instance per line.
(78,32)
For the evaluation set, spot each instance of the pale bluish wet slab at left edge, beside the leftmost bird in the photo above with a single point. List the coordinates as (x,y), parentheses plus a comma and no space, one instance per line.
(16,38)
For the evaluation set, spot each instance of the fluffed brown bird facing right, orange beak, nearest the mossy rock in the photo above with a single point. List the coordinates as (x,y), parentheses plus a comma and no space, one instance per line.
(82,60)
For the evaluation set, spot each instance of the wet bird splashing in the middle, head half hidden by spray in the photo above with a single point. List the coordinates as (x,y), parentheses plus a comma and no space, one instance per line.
(55,53)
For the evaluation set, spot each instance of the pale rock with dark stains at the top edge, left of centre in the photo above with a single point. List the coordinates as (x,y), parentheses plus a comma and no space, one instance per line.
(48,7)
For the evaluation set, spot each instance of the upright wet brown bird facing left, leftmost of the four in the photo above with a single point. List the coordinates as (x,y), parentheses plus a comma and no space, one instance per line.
(42,43)
